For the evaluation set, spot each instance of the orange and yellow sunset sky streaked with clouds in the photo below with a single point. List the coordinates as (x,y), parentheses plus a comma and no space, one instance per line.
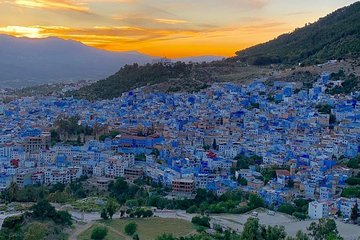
(166,28)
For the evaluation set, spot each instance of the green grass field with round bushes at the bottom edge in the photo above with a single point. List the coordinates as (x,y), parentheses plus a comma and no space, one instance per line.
(148,229)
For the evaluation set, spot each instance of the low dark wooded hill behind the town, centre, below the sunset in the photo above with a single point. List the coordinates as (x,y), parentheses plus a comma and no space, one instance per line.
(168,78)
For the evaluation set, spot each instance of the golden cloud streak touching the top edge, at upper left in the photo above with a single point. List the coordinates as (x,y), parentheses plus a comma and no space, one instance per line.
(54,5)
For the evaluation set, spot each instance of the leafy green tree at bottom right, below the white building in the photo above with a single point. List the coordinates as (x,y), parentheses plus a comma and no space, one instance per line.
(322,230)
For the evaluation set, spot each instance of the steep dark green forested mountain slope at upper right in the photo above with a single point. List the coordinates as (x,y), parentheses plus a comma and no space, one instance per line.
(332,37)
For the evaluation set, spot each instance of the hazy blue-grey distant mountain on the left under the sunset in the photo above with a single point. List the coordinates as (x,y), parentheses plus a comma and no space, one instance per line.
(25,62)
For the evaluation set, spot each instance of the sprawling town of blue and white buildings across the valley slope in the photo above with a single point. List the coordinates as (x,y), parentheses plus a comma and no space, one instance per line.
(282,141)
